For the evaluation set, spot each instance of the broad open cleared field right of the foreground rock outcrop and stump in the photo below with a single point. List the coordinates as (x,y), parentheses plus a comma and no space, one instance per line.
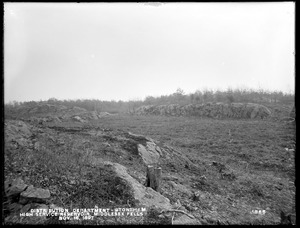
(259,170)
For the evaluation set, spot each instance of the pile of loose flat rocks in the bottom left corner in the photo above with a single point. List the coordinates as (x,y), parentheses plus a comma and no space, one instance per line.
(21,198)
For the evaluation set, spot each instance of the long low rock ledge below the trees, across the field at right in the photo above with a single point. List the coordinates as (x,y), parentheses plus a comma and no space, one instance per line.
(213,110)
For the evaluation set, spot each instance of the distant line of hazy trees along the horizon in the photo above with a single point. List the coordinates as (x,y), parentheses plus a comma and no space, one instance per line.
(179,97)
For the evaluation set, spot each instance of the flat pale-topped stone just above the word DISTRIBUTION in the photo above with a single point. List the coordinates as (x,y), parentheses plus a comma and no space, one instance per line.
(33,194)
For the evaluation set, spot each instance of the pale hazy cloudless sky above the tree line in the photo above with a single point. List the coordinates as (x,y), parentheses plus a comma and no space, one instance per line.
(121,51)
